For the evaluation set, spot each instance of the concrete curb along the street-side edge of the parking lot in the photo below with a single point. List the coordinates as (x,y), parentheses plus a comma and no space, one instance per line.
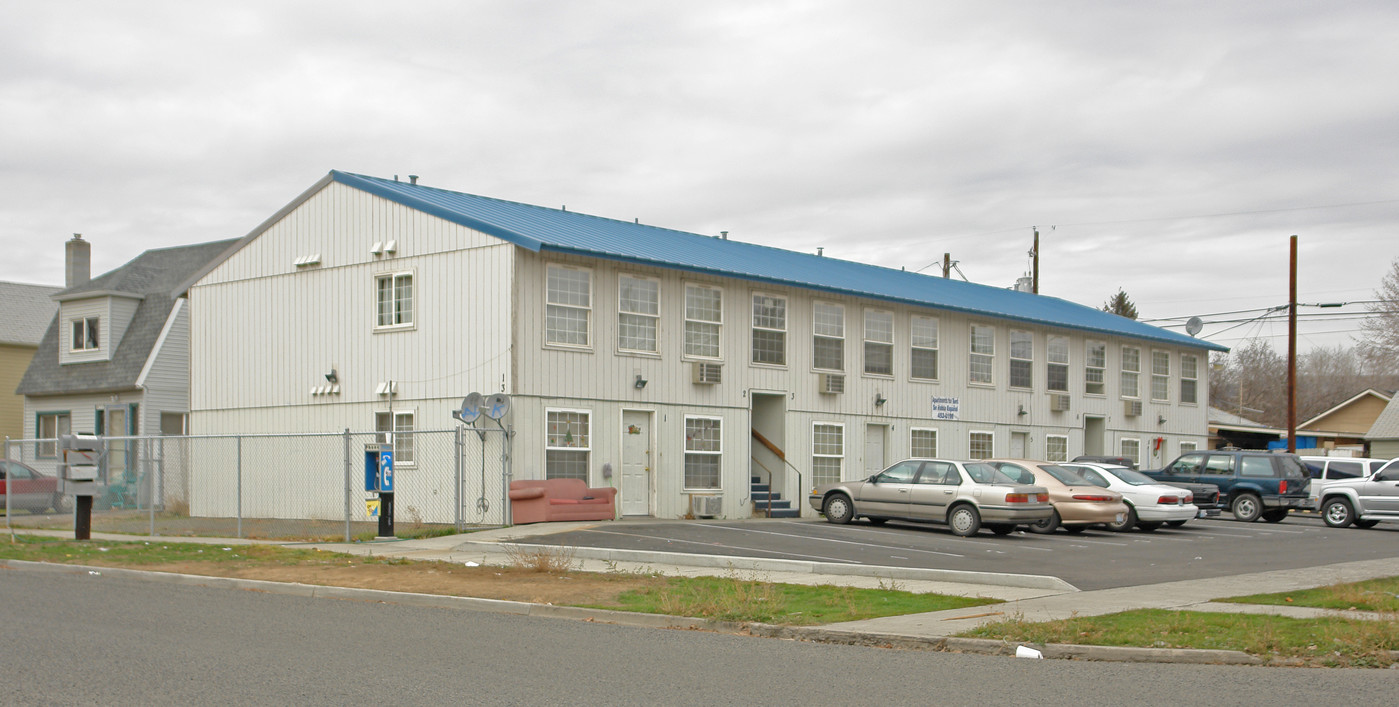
(1028,582)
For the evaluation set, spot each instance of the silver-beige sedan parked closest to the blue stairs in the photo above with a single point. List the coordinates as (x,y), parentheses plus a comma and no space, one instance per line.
(962,495)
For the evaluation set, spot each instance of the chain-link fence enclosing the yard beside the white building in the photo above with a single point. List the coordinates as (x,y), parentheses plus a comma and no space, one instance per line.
(272,486)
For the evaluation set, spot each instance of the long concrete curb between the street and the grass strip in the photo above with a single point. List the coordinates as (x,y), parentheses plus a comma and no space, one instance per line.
(651,621)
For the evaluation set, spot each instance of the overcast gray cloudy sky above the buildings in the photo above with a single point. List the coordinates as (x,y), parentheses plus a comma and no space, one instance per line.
(1169,149)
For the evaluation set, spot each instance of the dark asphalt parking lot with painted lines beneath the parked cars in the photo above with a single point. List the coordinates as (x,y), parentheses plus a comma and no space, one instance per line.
(1091,561)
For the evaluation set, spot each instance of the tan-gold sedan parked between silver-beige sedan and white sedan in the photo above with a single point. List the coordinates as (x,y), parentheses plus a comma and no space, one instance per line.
(1077,503)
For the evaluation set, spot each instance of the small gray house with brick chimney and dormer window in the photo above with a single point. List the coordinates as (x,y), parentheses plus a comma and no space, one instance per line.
(115,358)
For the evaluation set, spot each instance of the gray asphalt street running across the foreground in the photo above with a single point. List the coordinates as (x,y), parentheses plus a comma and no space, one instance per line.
(78,639)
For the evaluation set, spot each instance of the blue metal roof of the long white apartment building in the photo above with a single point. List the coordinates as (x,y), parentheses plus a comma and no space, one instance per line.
(555,230)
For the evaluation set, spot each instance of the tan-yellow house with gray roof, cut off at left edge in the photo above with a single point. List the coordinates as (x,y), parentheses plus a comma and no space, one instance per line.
(29,311)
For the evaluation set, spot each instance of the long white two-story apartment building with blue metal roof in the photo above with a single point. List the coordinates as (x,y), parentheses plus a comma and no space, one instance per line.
(650,359)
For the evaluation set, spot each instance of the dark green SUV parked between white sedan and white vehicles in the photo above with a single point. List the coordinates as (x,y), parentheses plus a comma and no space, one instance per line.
(1253,484)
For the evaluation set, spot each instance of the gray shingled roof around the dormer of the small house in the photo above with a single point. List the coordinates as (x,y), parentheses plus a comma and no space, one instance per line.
(156,276)
